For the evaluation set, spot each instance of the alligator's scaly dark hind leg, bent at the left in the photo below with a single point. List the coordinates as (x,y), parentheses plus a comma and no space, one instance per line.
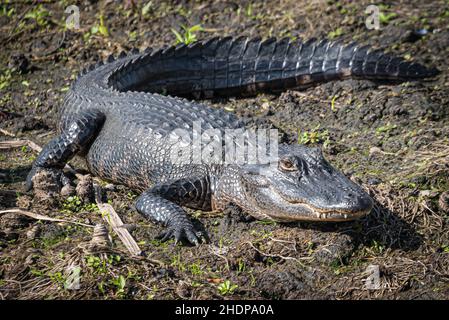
(77,136)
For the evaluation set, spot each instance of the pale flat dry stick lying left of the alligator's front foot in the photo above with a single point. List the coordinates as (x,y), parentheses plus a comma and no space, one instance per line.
(112,218)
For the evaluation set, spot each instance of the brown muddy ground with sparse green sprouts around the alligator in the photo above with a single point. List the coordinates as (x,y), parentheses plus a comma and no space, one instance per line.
(391,138)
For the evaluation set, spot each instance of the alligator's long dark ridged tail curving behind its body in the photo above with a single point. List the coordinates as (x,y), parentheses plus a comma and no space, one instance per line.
(242,66)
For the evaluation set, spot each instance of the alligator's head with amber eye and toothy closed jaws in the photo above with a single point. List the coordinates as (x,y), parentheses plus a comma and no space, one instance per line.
(302,185)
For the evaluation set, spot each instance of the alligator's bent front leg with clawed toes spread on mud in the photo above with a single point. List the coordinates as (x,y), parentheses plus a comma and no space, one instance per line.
(162,204)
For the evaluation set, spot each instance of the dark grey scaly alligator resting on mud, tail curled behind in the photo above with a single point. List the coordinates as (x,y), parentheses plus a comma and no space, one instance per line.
(121,116)
